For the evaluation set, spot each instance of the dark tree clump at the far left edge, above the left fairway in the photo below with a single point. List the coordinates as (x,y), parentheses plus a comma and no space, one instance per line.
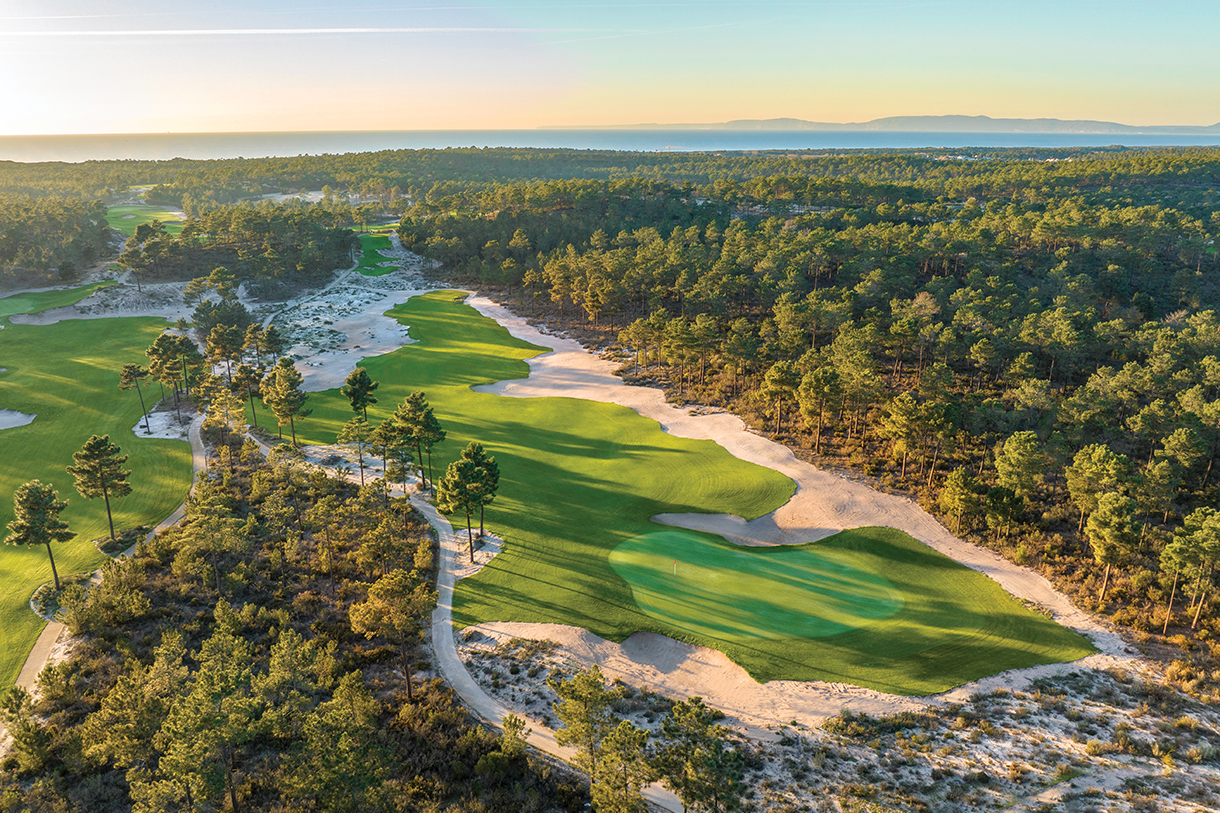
(48,240)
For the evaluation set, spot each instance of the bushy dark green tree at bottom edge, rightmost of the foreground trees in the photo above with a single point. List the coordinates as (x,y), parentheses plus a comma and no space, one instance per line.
(696,760)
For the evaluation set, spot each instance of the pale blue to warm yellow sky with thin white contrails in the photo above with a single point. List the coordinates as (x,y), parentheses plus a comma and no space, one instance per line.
(138,67)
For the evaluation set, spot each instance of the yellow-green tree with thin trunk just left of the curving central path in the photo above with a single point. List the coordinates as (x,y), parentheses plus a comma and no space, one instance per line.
(395,610)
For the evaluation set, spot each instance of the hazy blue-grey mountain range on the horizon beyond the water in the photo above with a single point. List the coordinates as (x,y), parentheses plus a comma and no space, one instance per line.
(935,125)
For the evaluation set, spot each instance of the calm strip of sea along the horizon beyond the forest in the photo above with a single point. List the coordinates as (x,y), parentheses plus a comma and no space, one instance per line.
(228,146)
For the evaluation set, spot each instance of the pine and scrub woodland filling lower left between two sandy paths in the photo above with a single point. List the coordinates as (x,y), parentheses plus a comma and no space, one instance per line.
(264,655)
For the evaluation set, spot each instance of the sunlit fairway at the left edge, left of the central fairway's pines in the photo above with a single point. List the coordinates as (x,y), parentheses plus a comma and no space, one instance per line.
(68,375)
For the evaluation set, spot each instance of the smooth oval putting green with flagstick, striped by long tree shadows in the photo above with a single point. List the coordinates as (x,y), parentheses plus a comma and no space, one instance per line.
(723,591)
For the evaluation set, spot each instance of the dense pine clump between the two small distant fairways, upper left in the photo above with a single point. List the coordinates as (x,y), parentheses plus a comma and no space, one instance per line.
(267,245)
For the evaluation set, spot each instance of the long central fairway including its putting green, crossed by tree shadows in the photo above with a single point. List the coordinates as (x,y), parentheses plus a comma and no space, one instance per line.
(579,483)
